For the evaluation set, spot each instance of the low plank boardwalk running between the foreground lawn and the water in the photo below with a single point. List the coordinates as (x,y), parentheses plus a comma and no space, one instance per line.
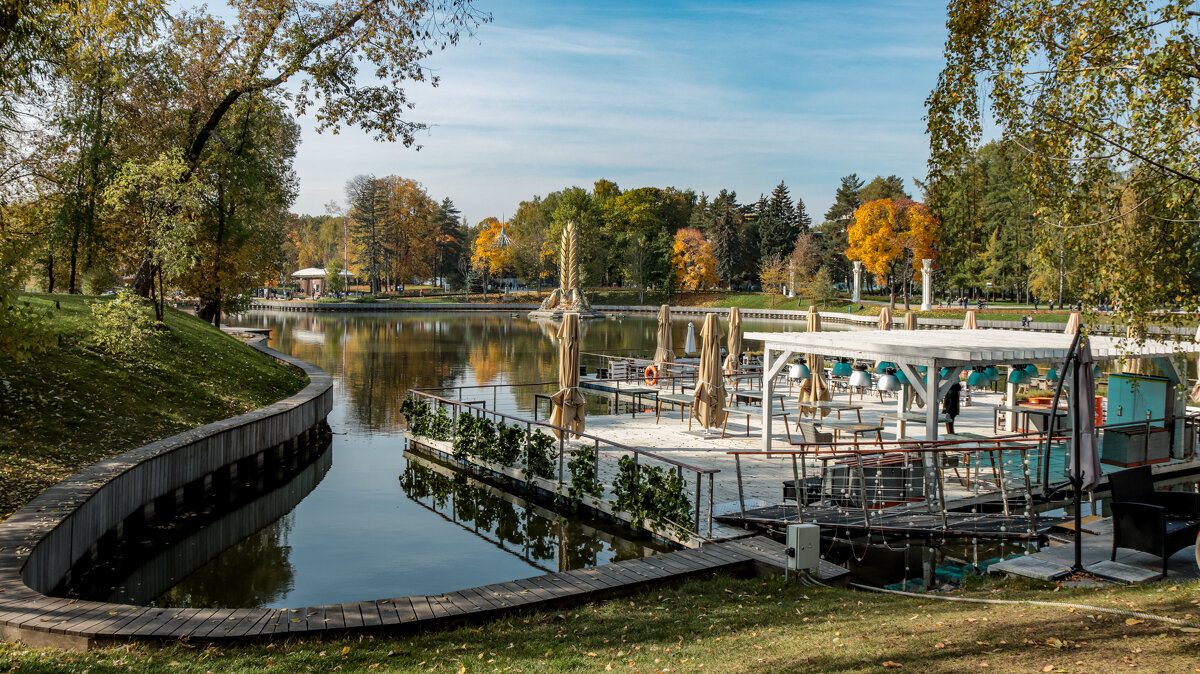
(41,621)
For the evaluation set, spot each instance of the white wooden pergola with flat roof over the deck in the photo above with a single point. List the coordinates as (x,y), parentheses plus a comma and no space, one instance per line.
(953,350)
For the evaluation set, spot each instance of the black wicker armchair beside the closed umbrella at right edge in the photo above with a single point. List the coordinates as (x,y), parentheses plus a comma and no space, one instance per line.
(1153,522)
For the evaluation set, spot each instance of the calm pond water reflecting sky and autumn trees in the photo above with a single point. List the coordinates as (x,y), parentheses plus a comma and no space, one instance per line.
(382,525)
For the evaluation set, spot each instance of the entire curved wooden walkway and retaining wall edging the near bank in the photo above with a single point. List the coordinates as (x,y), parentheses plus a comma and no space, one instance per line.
(68,525)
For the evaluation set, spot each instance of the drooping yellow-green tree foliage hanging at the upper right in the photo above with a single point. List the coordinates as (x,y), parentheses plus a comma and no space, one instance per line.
(1084,89)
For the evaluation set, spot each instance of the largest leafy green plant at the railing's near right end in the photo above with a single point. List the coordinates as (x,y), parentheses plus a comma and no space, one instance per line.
(652,494)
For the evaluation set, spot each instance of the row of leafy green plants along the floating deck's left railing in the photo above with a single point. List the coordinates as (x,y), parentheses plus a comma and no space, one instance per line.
(645,486)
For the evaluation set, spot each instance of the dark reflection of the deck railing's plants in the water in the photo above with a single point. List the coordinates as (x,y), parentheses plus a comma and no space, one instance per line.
(544,539)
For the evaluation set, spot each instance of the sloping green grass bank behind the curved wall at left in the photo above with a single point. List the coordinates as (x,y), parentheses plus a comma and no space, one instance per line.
(71,407)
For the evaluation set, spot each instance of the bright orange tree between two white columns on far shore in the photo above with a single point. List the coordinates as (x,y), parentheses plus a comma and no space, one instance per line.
(889,236)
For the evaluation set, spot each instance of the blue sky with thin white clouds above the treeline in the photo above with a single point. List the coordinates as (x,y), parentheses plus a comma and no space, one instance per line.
(735,95)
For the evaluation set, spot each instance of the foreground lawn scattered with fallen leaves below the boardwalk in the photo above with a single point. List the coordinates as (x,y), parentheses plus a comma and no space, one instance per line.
(733,625)
